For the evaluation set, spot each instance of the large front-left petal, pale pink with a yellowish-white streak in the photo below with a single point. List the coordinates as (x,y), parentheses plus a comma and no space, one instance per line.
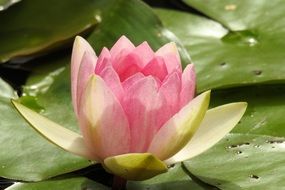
(102,120)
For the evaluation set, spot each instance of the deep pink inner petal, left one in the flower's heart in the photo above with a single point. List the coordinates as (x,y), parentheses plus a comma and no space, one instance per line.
(127,66)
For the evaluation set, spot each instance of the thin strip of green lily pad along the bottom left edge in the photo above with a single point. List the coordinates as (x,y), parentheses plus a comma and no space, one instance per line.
(63,184)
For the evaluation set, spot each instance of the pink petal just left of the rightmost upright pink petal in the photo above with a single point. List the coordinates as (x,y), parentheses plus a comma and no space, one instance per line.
(170,89)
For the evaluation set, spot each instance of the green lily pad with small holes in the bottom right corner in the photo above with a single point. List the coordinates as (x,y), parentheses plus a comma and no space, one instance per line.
(243,161)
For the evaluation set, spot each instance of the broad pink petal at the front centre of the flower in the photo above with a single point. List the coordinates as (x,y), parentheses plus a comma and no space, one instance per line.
(142,105)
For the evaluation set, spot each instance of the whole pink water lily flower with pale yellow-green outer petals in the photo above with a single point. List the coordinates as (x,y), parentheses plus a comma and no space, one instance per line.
(136,110)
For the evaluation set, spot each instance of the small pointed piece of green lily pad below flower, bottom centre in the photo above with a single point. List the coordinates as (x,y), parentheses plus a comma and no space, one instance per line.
(175,178)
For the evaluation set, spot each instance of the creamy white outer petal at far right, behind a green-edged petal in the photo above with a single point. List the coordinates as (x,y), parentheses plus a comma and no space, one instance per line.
(216,124)
